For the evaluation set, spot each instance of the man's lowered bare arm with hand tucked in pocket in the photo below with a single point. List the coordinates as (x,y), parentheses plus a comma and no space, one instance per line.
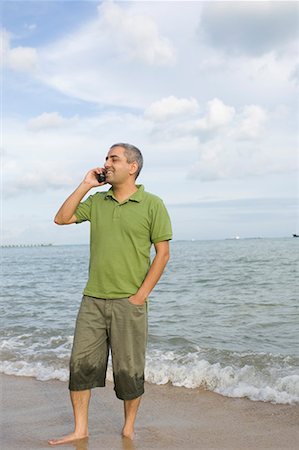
(154,274)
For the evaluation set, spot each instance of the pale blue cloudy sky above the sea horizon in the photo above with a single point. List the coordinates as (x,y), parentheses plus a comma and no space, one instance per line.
(207,90)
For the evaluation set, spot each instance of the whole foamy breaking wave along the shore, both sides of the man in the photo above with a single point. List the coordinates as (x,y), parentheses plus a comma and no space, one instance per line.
(274,381)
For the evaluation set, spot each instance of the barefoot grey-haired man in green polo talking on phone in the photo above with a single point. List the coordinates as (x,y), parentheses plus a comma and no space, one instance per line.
(124,223)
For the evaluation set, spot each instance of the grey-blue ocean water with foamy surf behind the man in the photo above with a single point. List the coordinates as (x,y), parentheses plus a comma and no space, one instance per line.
(224,317)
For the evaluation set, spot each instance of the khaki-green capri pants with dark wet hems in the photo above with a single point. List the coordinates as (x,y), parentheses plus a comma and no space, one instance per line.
(104,324)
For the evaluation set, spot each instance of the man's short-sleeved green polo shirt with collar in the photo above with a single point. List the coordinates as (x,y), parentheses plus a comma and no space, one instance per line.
(121,235)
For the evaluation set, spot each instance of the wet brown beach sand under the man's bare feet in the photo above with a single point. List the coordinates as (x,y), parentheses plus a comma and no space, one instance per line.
(169,418)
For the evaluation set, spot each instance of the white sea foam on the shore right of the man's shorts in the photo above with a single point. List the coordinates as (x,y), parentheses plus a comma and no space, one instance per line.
(191,372)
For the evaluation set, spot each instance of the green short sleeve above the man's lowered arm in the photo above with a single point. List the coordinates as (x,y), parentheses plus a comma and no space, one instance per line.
(161,225)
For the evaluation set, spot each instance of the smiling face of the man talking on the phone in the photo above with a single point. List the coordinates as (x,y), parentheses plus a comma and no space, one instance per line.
(117,167)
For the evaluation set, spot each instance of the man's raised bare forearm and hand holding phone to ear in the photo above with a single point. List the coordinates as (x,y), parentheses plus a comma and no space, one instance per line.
(66,213)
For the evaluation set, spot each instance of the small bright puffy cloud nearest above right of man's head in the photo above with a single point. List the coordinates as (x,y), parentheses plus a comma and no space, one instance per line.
(171,107)
